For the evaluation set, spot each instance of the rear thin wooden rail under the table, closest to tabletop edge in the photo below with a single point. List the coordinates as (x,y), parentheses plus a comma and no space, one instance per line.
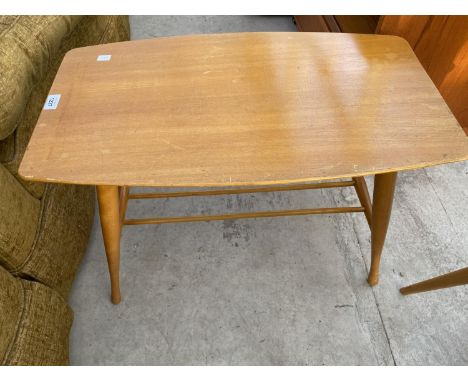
(243,190)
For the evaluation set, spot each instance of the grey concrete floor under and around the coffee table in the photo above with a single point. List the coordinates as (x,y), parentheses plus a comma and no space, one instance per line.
(279,291)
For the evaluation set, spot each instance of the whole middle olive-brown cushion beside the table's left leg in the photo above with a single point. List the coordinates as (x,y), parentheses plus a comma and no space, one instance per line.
(44,240)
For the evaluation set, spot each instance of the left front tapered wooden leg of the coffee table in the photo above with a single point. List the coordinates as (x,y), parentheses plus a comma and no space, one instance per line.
(109,212)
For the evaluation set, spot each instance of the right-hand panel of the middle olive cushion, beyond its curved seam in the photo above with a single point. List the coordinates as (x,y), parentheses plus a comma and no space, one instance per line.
(67,214)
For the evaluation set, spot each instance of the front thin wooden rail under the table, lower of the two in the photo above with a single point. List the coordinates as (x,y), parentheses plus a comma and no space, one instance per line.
(245,215)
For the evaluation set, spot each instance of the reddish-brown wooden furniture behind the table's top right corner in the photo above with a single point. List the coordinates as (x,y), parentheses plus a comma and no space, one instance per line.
(440,43)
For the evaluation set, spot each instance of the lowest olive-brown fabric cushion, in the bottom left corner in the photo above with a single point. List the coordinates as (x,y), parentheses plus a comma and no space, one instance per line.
(35,323)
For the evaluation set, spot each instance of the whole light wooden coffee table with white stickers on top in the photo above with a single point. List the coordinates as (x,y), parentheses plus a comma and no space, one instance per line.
(268,111)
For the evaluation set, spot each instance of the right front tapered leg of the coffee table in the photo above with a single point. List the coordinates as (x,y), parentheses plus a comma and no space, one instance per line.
(384,188)
